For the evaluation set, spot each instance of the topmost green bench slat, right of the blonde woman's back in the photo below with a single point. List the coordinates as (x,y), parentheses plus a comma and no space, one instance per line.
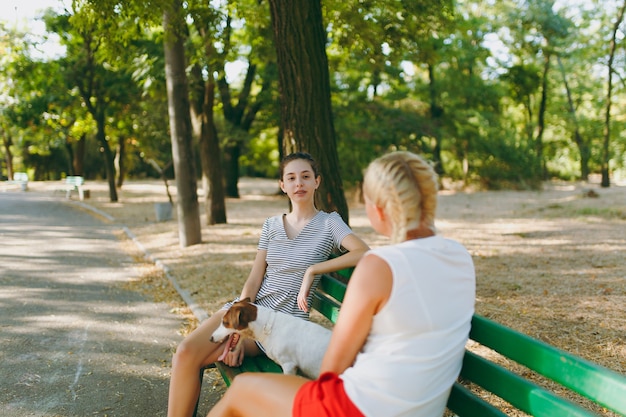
(586,378)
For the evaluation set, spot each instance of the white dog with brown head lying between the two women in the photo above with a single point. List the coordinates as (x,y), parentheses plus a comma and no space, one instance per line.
(291,342)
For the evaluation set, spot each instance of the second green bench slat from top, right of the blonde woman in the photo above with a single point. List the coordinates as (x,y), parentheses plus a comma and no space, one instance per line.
(519,392)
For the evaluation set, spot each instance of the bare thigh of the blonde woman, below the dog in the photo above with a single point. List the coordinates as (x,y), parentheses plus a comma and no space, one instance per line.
(260,395)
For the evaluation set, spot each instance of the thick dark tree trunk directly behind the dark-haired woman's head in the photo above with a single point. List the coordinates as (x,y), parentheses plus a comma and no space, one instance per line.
(306,112)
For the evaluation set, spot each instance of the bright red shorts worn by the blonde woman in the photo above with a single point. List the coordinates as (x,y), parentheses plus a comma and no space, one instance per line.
(324,397)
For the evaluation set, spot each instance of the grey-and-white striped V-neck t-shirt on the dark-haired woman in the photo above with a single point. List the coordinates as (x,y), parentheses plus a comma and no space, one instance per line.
(287,259)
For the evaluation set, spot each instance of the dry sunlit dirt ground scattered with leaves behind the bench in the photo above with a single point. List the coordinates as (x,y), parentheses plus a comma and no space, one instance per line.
(549,263)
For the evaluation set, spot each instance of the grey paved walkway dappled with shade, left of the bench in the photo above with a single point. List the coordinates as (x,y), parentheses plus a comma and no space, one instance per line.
(73,341)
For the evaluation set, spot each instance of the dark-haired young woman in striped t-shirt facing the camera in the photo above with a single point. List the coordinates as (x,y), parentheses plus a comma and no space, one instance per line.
(293,248)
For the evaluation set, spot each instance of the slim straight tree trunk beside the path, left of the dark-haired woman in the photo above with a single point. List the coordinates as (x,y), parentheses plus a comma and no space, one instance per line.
(188,211)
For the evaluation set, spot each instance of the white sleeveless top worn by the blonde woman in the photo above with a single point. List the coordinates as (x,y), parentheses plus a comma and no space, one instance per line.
(414,351)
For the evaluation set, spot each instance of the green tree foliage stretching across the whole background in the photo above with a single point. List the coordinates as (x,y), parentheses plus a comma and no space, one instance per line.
(416,75)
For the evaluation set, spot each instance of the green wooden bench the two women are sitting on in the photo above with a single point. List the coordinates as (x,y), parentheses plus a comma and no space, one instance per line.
(483,380)
